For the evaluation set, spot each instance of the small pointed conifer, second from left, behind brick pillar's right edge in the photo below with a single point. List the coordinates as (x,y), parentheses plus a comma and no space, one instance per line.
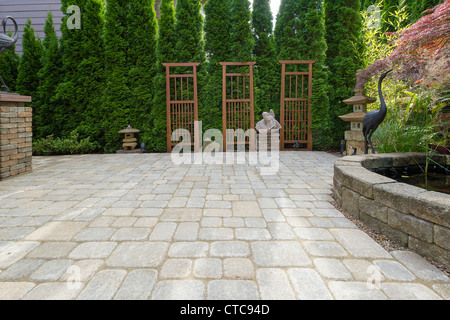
(30,63)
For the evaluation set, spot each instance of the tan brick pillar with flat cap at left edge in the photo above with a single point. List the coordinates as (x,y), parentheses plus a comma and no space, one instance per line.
(15,135)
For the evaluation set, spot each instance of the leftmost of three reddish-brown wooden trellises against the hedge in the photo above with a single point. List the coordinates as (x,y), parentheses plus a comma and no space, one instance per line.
(182,105)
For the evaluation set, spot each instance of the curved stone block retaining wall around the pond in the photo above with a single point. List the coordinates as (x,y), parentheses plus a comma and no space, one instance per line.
(412,216)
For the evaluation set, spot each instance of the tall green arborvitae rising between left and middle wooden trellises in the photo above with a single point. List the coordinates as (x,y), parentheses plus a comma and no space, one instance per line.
(217,46)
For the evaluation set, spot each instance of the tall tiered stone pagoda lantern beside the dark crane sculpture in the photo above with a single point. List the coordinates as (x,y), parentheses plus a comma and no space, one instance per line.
(354,137)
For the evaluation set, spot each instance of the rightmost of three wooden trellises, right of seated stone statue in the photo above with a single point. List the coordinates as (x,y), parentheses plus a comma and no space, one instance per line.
(295,105)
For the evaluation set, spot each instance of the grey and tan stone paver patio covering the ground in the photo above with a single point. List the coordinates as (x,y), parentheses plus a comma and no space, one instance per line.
(140,227)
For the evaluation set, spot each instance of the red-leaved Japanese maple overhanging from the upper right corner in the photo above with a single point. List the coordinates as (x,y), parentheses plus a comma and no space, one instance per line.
(418,49)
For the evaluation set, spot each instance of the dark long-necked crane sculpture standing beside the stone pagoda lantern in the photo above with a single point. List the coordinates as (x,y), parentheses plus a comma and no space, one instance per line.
(374,118)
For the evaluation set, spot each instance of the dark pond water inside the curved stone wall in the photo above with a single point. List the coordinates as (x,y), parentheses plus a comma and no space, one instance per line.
(438,179)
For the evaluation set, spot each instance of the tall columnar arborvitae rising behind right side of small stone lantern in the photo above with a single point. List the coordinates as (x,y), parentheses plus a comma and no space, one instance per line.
(142,32)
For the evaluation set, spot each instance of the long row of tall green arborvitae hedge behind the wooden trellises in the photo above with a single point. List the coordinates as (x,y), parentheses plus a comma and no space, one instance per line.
(98,103)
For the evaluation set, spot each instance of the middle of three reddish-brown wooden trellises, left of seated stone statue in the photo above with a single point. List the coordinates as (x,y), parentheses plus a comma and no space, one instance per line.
(237,104)
